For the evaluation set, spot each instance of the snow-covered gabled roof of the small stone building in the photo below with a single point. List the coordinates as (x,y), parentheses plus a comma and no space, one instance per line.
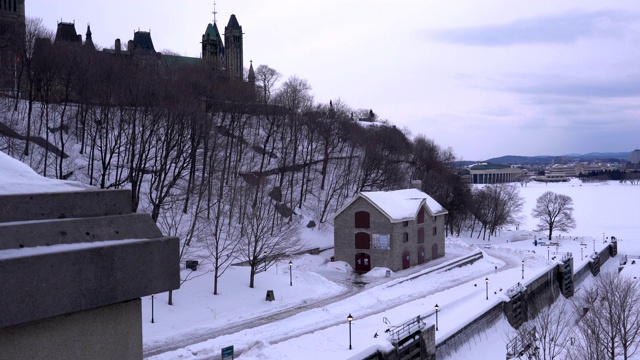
(399,205)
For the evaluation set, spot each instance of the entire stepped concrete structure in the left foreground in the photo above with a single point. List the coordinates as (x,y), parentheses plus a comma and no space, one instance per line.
(73,266)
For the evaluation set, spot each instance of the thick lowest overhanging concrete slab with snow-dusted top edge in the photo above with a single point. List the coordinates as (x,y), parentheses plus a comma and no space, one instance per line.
(43,282)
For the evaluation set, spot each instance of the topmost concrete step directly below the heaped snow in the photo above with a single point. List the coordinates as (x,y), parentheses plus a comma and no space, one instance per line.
(86,203)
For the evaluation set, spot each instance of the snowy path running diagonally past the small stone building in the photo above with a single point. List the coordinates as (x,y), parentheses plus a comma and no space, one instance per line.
(325,313)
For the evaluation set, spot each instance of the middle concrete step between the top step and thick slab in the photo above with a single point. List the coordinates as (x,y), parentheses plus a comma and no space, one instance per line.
(44,233)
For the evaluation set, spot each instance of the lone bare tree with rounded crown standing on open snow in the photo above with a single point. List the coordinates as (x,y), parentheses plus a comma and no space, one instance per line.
(554,212)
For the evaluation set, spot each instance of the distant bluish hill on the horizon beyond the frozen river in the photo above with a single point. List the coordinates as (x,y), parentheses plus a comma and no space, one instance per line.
(562,159)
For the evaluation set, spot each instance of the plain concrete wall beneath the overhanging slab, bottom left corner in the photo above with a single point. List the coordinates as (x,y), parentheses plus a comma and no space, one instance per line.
(111,332)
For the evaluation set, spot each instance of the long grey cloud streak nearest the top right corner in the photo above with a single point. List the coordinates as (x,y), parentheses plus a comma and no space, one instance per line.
(567,27)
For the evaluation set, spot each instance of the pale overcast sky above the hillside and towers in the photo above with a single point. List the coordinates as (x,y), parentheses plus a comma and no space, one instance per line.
(486,78)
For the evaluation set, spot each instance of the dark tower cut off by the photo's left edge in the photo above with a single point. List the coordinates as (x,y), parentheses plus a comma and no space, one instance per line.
(12,41)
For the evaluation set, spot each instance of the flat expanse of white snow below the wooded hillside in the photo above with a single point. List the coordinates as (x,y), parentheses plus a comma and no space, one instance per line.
(323,293)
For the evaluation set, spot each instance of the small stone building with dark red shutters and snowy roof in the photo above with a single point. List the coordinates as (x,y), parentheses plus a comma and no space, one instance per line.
(394,229)
